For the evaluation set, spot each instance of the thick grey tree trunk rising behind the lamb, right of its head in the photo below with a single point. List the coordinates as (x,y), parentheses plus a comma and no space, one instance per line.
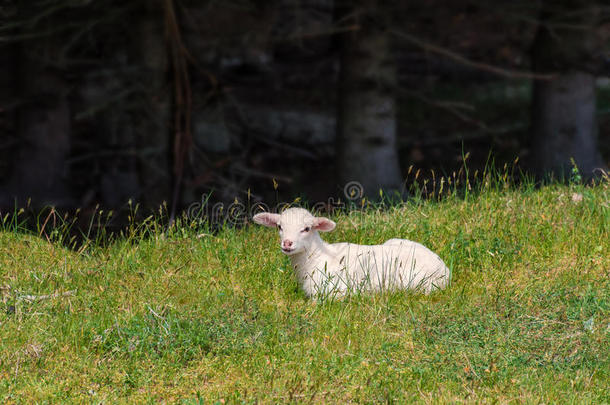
(366,139)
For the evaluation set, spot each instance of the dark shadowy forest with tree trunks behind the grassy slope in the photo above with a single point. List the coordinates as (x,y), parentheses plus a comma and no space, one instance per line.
(167,100)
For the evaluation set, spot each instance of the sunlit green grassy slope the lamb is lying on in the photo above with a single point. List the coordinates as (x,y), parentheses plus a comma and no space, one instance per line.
(527,317)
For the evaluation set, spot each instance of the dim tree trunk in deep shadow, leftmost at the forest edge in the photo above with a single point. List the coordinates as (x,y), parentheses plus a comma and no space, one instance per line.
(44,127)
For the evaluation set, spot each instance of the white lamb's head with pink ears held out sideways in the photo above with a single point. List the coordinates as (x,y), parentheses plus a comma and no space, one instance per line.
(298,228)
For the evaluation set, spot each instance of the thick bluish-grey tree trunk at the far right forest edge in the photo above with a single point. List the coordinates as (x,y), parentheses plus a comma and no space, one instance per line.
(564,109)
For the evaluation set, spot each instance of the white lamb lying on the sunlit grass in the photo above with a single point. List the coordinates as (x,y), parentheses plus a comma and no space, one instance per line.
(336,269)
